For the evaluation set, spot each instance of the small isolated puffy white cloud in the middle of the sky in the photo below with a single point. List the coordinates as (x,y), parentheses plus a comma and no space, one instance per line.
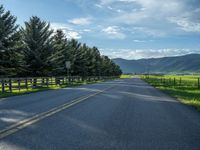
(113,32)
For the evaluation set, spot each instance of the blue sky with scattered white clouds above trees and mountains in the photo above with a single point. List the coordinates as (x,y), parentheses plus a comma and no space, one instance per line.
(129,29)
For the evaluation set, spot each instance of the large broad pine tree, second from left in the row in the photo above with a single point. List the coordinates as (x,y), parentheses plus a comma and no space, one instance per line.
(38,47)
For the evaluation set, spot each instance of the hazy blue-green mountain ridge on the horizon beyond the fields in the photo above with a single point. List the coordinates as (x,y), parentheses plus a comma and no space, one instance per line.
(179,64)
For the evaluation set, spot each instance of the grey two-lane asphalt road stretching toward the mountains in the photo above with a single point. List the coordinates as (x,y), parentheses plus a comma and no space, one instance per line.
(123,114)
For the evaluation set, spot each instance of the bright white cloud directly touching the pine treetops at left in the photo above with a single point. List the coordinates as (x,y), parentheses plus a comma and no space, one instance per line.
(69,32)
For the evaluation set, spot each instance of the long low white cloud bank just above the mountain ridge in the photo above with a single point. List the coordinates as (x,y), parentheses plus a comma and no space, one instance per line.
(145,53)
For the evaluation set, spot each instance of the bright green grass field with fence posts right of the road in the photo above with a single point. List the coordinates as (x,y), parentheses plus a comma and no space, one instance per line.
(185,88)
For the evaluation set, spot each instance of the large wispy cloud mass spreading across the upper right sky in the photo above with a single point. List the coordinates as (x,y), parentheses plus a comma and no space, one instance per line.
(153,15)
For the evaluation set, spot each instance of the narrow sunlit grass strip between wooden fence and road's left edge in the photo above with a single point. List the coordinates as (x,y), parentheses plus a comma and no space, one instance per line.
(23,91)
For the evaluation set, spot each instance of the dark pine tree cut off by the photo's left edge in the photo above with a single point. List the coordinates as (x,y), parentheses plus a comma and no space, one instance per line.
(9,39)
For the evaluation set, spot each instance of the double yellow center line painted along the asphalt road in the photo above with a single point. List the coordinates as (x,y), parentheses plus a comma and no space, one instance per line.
(38,117)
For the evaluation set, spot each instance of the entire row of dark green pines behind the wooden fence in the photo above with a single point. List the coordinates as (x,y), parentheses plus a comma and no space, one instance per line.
(37,50)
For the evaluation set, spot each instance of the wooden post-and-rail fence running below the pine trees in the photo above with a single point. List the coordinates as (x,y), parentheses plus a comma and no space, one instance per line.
(10,84)
